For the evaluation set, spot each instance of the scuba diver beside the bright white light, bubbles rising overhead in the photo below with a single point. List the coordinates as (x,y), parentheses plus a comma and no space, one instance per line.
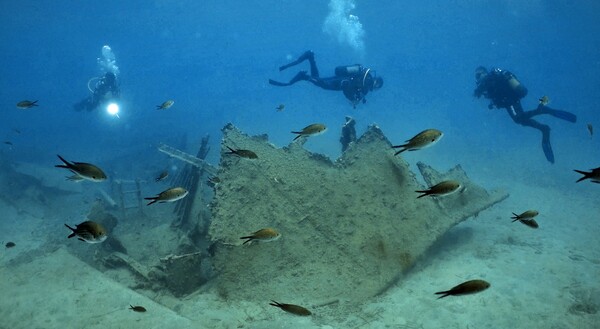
(106,87)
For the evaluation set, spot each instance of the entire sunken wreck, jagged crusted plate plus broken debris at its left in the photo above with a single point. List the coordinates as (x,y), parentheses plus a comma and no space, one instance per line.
(350,228)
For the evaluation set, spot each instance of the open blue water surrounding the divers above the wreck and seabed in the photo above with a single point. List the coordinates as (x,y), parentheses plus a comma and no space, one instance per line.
(214,59)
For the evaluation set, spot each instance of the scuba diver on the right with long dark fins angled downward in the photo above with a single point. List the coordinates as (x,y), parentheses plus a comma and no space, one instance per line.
(504,90)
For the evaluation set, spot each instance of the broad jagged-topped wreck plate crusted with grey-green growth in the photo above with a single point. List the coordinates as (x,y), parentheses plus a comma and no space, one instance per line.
(352,225)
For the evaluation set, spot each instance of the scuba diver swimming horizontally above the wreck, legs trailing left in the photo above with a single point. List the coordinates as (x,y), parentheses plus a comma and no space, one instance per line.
(355,81)
